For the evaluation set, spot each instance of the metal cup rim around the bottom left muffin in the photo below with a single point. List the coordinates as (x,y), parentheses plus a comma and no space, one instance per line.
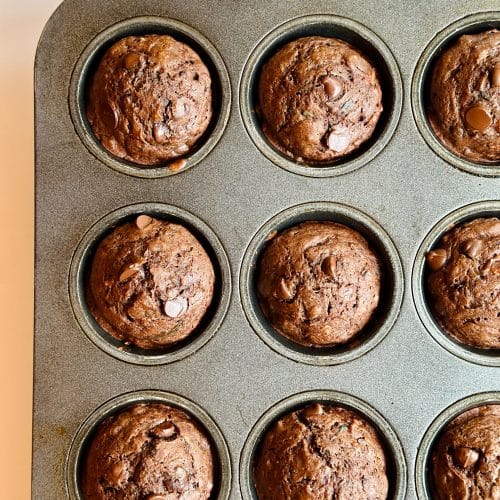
(81,440)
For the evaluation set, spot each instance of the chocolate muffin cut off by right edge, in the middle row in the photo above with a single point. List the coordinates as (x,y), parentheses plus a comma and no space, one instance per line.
(463,283)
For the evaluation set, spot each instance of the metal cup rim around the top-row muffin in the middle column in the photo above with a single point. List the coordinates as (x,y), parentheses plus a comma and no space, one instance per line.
(361,38)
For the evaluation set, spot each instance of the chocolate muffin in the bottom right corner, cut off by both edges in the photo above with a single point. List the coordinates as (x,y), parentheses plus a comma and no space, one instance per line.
(465,460)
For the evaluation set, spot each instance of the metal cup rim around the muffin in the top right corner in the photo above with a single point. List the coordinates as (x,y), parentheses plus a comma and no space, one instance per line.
(475,23)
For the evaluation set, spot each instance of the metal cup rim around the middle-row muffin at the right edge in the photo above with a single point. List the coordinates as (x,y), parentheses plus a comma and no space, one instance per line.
(488,357)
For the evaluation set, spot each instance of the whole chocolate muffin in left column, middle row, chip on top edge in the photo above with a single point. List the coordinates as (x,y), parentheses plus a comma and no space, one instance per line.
(150,283)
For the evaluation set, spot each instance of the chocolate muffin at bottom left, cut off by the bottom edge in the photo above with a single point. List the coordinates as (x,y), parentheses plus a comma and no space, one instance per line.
(148,451)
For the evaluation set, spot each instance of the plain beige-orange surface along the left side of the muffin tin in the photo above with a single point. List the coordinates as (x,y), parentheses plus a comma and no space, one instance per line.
(21,23)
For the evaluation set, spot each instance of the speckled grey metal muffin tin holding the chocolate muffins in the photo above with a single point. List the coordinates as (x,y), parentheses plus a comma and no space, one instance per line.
(397,191)
